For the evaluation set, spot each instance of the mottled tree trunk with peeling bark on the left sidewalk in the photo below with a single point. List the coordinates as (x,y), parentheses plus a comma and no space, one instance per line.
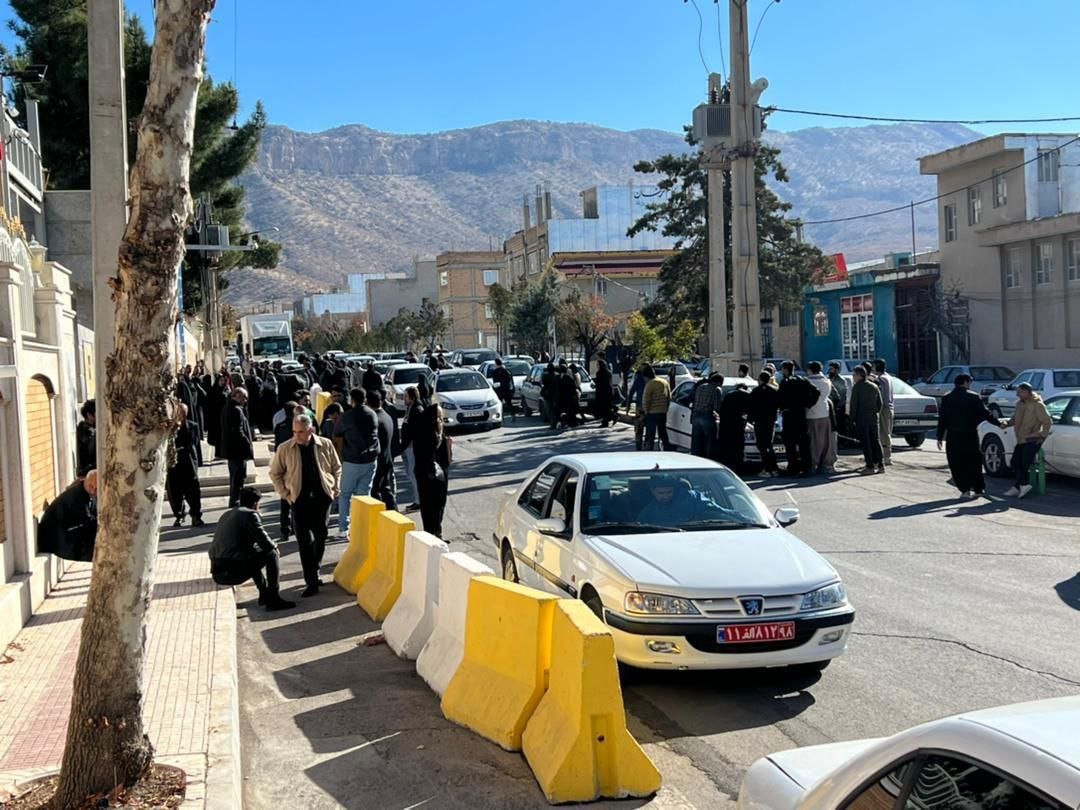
(106,741)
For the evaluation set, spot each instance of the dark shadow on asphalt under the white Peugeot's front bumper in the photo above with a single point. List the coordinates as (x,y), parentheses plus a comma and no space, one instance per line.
(698,704)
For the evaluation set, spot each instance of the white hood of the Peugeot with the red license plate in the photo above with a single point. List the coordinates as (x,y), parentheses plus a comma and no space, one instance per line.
(708,564)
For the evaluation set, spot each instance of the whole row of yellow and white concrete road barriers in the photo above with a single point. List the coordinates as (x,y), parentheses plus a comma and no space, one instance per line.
(521,668)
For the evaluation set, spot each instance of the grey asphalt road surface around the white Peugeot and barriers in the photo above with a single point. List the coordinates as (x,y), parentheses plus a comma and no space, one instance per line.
(961,605)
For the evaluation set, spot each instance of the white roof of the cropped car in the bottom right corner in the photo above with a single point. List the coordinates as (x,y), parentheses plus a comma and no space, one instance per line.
(1049,725)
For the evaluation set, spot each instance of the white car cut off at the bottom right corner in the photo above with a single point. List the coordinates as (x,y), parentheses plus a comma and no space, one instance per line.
(1025,757)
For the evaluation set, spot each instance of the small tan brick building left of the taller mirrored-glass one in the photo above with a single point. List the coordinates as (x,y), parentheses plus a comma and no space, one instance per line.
(464,279)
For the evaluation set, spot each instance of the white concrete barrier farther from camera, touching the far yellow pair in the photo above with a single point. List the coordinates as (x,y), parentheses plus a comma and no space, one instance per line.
(412,618)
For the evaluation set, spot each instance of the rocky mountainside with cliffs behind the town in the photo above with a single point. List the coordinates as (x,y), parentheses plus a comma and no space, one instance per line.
(354,199)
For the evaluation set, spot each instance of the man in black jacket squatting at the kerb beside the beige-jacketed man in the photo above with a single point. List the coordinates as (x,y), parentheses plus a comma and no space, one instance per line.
(241,550)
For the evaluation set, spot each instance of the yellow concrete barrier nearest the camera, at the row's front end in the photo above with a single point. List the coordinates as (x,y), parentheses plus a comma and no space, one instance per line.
(577,742)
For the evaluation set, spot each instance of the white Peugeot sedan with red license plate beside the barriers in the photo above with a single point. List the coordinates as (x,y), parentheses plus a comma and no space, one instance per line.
(681,560)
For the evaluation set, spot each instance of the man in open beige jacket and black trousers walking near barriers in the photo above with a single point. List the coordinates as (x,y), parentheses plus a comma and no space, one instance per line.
(307,474)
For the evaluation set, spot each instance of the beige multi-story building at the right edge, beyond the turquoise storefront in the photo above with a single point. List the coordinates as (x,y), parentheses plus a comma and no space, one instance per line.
(1009,227)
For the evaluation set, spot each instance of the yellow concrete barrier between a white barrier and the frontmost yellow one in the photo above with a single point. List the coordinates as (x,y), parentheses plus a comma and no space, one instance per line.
(505,670)
